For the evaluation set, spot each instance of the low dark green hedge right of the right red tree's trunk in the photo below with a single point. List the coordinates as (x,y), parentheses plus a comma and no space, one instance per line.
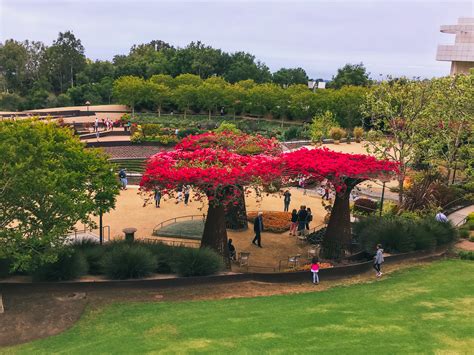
(399,234)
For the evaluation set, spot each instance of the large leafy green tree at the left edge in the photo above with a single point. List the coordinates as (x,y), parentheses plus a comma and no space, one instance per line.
(49,182)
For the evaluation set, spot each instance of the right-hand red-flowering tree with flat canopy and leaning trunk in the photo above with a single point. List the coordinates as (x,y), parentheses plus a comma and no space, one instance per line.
(344,172)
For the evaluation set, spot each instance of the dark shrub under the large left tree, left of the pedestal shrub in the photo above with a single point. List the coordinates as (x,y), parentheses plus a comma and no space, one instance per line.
(69,266)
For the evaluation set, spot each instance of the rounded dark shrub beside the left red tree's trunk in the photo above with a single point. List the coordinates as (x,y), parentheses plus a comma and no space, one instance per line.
(198,262)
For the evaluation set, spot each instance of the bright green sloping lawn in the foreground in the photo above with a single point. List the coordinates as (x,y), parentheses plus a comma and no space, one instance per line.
(420,310)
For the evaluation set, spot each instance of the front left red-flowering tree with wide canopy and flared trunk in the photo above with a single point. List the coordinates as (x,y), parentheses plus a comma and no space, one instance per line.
(215,174)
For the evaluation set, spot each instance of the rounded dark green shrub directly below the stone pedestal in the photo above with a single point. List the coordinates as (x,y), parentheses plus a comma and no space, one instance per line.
(126,261)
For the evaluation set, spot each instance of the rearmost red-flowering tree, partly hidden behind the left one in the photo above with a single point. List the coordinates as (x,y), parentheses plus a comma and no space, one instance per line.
(240,143)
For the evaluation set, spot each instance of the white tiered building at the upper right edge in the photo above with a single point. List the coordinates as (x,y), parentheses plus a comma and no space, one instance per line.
(461,53)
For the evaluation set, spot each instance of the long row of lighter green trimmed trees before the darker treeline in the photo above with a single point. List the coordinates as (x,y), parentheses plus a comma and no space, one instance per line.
(189,93)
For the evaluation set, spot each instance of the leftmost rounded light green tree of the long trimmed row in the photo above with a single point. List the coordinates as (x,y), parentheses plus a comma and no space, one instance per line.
(129,90)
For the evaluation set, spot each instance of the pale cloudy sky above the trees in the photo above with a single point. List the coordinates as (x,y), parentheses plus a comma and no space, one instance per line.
(397,37)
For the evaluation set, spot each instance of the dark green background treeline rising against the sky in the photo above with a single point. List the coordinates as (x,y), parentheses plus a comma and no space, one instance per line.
(34,75)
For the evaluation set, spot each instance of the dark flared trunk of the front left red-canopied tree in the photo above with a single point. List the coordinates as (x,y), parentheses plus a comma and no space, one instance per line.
(215,233)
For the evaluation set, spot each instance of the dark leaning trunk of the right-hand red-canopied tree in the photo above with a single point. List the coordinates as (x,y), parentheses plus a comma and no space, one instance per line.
(338,234)
